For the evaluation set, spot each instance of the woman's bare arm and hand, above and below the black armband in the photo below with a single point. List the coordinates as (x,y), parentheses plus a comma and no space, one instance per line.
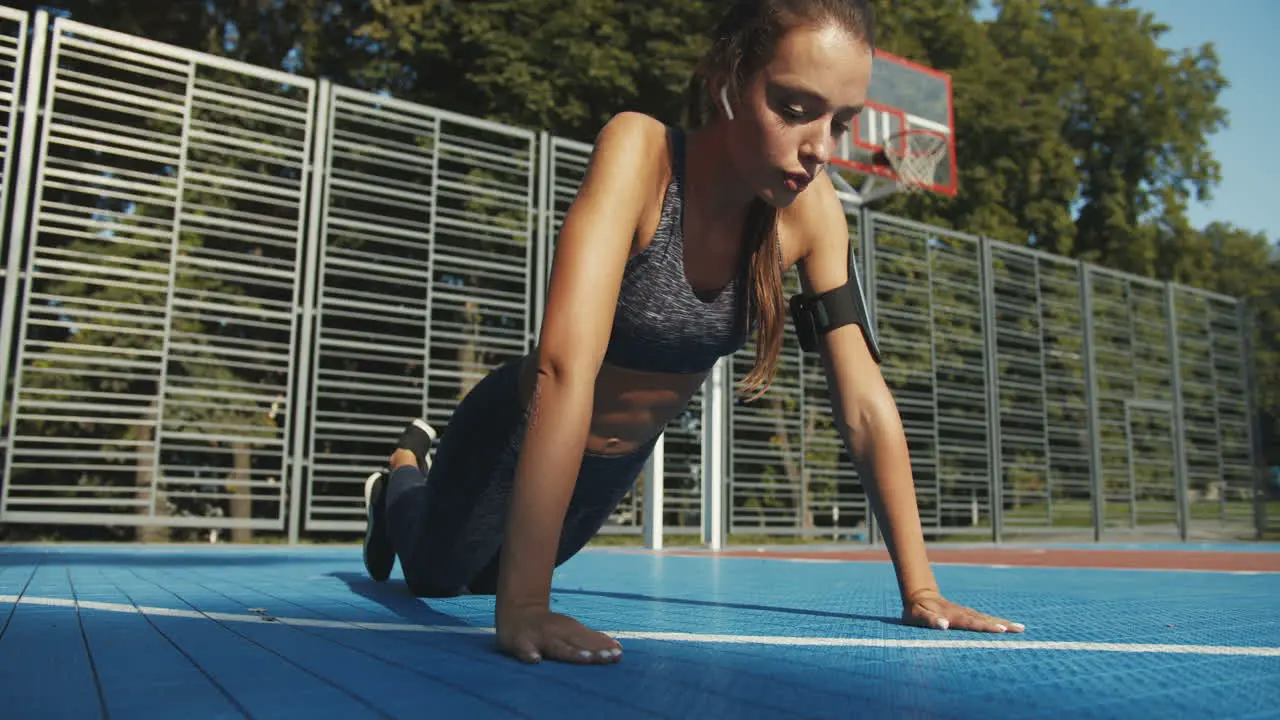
(868,420)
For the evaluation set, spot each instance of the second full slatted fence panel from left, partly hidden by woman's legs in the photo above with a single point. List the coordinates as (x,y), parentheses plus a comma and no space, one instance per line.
(427,275)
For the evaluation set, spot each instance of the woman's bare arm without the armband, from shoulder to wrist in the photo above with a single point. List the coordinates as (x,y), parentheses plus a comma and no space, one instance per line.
(591,256)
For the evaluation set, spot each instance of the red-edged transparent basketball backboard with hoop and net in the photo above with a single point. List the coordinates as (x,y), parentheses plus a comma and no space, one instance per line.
(907,127)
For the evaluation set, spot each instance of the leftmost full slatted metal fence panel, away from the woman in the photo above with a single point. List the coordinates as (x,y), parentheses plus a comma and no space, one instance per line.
(158,338)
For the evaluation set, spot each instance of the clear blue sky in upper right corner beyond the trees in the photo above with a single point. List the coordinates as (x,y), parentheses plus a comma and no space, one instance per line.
(1245,38)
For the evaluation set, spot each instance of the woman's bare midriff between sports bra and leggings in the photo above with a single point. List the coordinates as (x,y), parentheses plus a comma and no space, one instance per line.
(630,408)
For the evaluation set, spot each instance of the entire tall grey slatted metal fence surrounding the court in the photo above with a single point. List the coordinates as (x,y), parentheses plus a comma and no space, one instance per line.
(227,289)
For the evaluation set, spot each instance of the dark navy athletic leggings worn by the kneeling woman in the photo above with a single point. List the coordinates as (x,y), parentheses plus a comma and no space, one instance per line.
(447,528)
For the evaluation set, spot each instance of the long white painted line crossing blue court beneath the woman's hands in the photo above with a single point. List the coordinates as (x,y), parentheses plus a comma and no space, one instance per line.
(671,637)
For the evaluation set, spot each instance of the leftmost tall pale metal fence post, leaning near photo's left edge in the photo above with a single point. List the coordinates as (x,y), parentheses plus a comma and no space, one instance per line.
(19,226)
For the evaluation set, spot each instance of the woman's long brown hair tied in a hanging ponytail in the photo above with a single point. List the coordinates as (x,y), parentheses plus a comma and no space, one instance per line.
(743,43)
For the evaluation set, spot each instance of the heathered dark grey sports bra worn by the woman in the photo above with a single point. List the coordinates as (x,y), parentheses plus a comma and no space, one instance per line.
(661,325)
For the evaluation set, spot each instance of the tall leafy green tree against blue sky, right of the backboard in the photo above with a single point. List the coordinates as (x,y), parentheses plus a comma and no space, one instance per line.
(1137,117)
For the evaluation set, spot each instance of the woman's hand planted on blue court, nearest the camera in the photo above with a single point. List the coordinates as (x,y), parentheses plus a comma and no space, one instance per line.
(537,634)
